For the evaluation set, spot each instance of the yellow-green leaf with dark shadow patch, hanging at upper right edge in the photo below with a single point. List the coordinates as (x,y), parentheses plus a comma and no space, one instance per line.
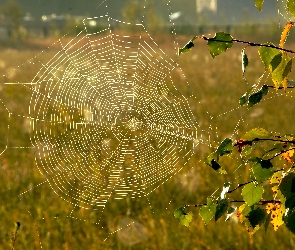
(281,66)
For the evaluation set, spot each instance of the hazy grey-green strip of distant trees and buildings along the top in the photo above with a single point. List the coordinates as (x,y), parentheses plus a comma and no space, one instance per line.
(42,18)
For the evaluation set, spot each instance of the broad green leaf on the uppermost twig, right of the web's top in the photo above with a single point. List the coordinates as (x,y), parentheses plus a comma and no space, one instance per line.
(219,43)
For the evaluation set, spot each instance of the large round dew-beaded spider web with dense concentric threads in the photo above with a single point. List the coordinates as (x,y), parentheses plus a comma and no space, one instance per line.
(104,122)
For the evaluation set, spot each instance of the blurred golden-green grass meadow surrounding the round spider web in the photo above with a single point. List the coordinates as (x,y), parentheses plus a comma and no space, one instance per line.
(212,88)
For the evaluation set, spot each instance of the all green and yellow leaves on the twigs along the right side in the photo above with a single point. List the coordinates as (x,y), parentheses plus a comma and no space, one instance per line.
(272,169)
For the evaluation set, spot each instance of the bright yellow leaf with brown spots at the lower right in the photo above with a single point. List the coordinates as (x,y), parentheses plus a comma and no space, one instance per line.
(277,211)
